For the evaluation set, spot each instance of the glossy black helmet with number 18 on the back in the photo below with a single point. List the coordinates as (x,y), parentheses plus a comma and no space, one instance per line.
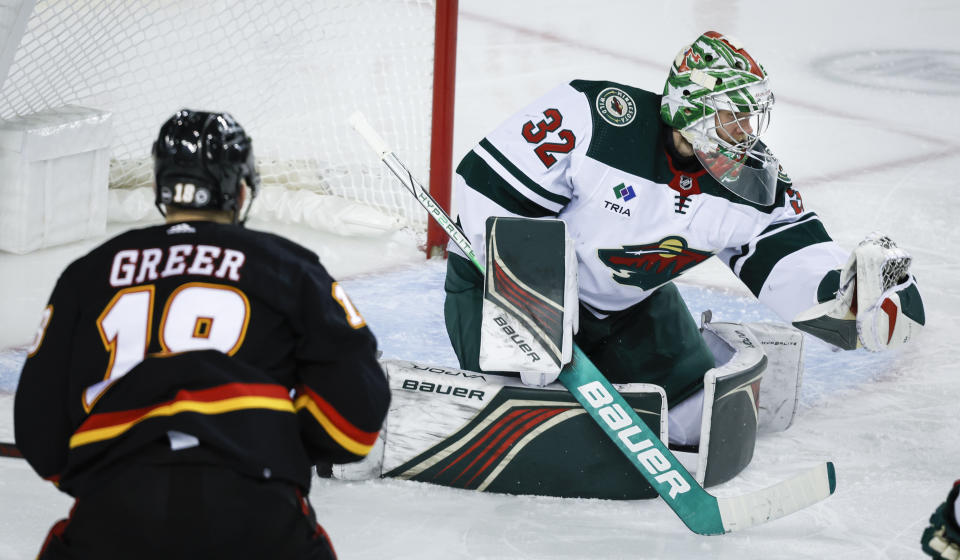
(201,161)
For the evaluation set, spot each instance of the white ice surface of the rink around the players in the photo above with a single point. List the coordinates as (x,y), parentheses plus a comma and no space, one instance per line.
(864,157)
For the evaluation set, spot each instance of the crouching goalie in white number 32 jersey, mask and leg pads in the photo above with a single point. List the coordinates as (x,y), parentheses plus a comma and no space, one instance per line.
(584,207)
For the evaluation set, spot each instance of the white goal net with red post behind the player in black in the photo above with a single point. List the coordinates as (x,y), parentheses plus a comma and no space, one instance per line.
(290,72)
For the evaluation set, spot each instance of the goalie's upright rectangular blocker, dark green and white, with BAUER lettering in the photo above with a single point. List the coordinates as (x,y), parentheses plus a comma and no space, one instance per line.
(530,304)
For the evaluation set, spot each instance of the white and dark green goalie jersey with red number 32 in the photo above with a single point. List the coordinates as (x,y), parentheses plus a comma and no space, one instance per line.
(594,155)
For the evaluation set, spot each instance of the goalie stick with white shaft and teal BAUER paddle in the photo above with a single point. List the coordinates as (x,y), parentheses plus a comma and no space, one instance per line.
(700,511)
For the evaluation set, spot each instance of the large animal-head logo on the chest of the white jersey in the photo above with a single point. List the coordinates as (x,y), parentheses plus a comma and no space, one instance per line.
(651,265)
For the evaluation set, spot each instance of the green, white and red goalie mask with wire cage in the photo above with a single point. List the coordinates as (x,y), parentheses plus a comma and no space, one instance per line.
(719,98)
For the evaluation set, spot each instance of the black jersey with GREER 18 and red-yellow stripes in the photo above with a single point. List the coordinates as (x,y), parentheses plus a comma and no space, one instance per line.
(236,345)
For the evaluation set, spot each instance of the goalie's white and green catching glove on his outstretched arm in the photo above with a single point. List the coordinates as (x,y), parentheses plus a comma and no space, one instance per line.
(877,305)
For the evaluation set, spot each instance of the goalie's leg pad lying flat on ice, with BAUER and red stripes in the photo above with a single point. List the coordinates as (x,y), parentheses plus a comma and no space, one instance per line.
(491,433)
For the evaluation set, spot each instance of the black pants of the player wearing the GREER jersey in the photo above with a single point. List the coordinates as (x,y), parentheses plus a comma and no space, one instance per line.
(189,511)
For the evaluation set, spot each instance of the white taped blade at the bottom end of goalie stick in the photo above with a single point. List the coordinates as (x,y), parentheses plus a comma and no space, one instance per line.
(779,500)
